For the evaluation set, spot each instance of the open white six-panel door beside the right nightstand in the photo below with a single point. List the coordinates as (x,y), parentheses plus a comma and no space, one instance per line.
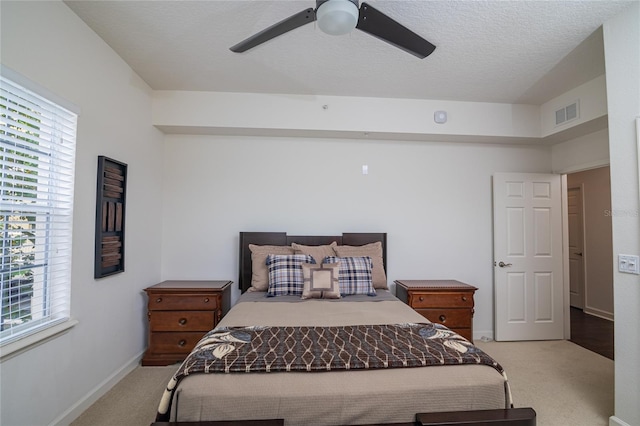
(528,271)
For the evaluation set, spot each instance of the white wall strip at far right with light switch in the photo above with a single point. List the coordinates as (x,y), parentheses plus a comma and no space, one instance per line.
(622,58)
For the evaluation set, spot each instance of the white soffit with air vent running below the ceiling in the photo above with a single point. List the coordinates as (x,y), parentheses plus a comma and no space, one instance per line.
(225,113)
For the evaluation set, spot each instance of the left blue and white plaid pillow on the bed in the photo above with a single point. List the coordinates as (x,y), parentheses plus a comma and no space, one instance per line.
(285,274)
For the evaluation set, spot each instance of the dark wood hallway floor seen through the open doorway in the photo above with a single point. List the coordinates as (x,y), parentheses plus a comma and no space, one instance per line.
(591,332)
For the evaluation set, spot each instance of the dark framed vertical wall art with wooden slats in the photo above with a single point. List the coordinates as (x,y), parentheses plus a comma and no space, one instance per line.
(111,199)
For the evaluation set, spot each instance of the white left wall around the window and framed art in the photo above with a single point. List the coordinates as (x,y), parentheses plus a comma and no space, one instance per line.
(47,43)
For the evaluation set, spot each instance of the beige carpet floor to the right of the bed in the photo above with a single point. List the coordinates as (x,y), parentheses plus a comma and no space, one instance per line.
(565,383)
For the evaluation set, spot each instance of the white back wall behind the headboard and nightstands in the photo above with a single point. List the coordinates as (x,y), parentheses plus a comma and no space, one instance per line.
(433,200)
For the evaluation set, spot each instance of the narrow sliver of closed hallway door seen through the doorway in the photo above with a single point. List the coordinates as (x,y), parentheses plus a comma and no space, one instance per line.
(576,247)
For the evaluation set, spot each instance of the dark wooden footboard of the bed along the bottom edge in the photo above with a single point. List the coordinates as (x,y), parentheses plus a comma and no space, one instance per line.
(508,417)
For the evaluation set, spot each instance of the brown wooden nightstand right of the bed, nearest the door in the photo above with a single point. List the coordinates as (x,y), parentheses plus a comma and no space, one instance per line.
(447,302)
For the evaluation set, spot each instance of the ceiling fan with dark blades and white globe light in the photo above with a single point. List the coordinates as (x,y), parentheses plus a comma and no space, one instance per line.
(338,17)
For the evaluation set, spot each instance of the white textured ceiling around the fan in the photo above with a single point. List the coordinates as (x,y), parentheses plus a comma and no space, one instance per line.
(487,51)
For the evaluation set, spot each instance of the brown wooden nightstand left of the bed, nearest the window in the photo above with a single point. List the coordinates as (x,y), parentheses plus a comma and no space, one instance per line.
(180,313)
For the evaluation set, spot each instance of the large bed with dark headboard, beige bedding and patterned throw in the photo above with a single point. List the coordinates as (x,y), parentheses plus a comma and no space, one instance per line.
(361,390)
